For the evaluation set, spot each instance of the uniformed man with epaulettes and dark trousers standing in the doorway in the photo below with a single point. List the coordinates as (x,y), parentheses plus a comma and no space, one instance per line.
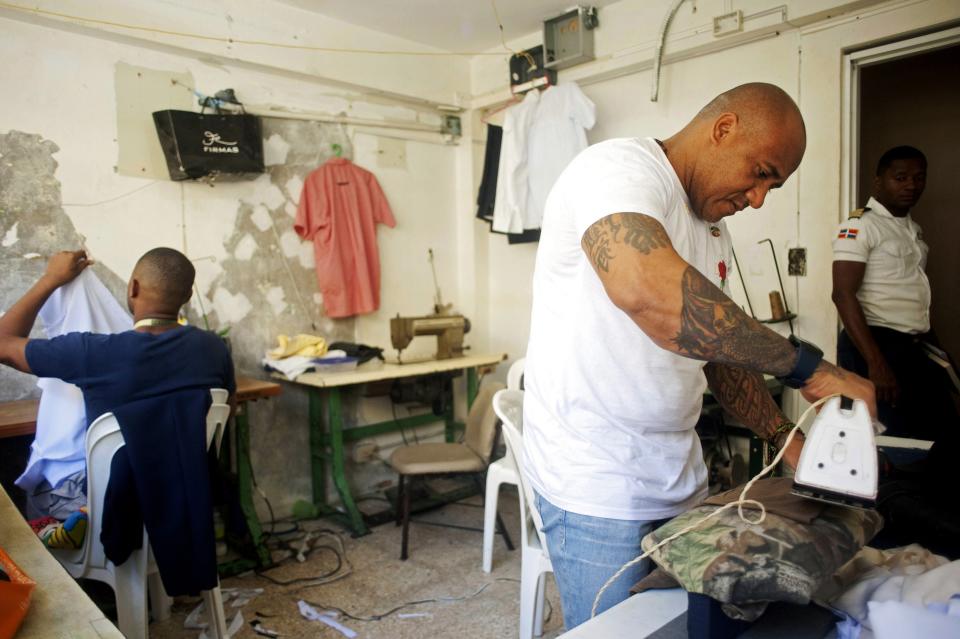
(883,297)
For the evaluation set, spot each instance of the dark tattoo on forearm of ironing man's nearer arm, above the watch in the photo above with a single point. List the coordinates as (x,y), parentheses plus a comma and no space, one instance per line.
(715,329)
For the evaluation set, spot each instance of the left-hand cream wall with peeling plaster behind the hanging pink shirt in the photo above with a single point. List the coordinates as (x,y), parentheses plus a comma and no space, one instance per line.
(59,188)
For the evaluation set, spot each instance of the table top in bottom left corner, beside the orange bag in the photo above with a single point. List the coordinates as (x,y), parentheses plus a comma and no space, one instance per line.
(58,606)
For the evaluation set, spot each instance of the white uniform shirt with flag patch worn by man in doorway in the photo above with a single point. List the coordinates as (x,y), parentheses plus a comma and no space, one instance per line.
(895,292)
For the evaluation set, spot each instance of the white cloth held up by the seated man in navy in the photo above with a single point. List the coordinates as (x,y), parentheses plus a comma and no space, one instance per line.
(83,305)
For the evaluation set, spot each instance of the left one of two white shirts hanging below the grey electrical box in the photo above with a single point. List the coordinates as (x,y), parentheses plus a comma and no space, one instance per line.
(513,184)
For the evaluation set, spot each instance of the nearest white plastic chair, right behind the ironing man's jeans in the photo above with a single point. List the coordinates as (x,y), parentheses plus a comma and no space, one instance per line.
(535,562)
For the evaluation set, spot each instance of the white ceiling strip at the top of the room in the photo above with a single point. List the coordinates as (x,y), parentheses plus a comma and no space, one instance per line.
(451,25)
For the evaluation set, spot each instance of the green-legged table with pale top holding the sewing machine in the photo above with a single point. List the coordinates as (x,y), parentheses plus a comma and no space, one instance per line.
(327,436)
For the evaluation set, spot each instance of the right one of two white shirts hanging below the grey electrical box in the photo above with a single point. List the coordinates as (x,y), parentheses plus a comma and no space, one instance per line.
(557,135)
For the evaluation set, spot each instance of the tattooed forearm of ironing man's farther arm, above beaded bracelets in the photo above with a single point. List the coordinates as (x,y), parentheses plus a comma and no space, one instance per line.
(744,395)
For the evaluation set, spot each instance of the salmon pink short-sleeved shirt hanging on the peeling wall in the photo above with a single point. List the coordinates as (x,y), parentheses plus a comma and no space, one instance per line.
(340,207)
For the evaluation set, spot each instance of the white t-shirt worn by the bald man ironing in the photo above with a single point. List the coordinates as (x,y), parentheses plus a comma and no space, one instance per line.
(609,416)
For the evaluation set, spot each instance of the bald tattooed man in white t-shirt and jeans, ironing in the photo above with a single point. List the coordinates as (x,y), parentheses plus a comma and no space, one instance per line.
(632,272)
